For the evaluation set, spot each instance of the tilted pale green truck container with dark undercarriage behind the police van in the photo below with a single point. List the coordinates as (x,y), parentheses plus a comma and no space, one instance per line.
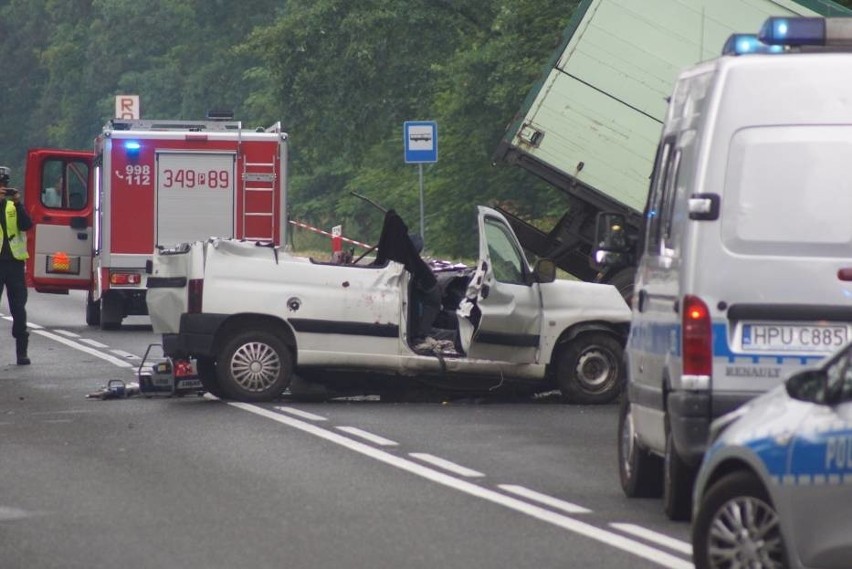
(591,124)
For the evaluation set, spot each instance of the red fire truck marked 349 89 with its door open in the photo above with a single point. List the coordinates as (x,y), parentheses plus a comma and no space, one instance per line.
(98,216)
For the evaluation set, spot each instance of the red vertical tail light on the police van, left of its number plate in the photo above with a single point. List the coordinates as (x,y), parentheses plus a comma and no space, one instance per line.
(697,344)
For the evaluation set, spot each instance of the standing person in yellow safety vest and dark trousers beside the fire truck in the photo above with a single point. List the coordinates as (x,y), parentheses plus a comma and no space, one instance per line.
(14,221)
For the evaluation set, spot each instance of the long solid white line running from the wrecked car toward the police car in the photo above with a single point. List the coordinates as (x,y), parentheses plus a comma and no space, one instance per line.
(607,537)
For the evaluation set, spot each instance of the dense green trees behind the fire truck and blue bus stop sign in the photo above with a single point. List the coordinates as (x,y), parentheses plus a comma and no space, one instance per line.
(341,76)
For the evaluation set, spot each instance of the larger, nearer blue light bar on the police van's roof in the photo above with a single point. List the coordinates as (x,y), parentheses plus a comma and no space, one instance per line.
(807,31)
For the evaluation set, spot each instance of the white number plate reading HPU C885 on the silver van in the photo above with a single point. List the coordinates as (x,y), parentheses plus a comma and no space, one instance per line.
(794,337)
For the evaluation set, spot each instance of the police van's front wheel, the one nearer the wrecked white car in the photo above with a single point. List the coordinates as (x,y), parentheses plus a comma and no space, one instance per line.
(641,472)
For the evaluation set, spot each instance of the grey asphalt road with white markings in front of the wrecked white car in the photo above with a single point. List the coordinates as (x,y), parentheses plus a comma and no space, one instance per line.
(195,482)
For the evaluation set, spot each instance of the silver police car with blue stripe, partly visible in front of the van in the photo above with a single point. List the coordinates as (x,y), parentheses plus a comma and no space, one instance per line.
(775,487)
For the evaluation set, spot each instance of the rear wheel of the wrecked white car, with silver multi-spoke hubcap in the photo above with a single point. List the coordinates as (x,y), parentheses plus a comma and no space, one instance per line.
(254,366)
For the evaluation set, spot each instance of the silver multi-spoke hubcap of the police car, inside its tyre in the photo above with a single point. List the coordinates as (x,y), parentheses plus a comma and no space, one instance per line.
(744,534)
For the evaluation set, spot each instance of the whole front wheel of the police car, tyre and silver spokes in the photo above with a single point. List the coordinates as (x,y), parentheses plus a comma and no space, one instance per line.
(736,525)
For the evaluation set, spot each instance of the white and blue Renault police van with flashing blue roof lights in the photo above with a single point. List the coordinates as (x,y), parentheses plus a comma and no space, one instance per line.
(745,274)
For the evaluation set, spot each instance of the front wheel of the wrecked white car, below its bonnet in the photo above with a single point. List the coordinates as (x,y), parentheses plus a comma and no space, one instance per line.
(589,369)
